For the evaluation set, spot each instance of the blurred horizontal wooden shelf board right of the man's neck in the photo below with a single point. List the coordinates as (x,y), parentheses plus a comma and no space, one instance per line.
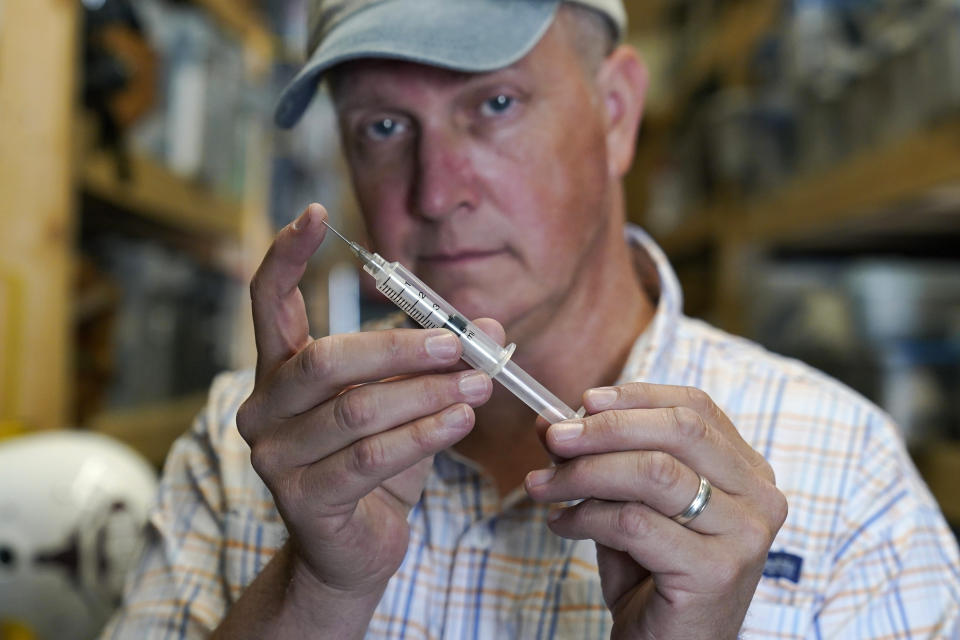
(870,192)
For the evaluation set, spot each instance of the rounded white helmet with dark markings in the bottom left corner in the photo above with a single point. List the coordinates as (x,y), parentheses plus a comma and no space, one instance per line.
(72,509)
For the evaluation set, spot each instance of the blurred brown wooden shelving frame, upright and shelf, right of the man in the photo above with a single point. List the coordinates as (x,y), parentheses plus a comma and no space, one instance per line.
(865,194)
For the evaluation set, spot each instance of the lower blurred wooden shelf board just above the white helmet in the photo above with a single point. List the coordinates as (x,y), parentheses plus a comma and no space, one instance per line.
(151,429)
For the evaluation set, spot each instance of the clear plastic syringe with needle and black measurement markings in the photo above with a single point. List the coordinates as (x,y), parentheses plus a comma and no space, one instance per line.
(480,351)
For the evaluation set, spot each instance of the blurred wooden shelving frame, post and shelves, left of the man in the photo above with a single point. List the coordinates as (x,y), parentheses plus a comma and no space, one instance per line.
(43,192)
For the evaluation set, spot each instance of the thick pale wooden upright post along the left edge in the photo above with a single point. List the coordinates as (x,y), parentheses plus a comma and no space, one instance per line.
(38,43)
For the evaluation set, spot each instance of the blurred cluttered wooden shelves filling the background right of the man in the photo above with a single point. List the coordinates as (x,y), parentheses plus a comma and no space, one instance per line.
(800,164)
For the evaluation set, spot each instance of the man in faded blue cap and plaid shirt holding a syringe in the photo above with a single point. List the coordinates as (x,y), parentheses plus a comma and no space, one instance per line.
(371,486)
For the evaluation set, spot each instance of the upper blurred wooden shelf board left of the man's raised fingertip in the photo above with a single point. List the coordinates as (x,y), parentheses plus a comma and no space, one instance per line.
(158,194)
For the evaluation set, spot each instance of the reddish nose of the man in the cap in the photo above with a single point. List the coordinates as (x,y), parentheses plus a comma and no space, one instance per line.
(445,176)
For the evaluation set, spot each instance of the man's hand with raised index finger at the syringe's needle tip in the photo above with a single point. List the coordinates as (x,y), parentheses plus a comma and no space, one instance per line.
(343,429)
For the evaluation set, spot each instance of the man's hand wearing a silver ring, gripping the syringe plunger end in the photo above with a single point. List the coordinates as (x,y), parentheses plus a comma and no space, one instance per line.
(636,462)
